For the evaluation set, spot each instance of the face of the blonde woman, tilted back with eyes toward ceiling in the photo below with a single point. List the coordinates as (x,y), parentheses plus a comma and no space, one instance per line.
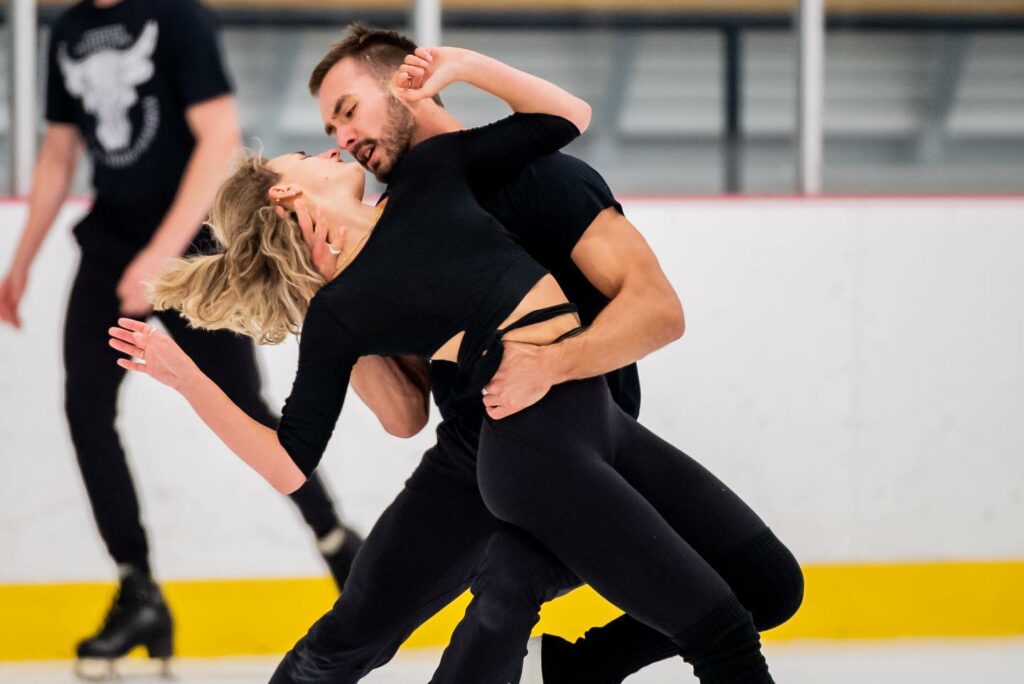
(319,178)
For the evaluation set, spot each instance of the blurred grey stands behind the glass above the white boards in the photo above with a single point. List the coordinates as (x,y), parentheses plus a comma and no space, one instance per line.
(692,97)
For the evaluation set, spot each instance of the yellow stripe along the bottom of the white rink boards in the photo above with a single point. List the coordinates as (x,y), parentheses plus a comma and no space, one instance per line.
(253,617)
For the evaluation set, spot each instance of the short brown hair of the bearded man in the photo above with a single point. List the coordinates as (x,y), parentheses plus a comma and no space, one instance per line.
(379,52)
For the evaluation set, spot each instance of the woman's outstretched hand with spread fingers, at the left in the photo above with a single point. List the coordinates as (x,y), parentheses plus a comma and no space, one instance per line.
(159,356)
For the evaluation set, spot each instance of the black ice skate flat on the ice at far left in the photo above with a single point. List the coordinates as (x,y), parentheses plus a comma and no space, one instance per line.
(139,617)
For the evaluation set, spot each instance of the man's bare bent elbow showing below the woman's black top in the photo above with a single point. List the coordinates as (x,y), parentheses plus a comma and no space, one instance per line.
(398,391)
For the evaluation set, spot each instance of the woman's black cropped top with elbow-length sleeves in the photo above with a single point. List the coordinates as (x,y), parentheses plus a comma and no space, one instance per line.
(437,264)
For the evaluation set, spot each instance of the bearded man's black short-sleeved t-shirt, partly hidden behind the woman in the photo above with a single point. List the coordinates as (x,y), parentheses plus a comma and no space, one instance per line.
(547,208)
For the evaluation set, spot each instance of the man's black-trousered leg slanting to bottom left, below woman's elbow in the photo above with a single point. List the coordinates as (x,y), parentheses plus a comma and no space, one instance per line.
(421,554)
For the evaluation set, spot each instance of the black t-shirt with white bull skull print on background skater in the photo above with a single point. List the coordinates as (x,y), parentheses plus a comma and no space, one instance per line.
(124,76)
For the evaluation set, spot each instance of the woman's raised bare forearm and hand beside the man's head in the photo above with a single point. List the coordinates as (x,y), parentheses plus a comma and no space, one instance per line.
(432,69)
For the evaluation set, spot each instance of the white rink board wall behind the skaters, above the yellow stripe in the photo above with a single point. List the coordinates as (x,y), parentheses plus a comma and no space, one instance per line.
(854,369)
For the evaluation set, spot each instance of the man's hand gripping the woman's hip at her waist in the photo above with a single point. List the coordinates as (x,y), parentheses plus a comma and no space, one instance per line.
(527,374)
